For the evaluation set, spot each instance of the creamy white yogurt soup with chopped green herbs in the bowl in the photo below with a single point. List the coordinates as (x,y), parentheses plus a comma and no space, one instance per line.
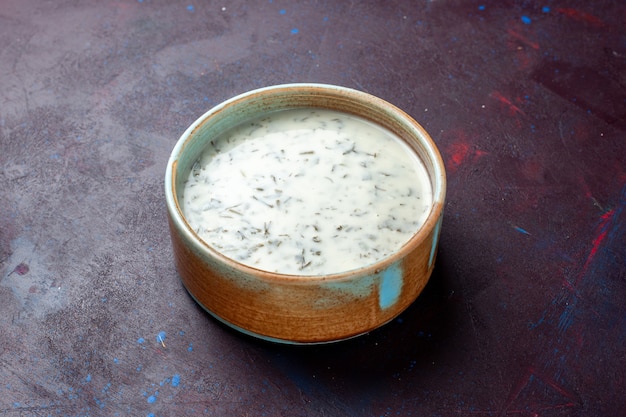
(307,192)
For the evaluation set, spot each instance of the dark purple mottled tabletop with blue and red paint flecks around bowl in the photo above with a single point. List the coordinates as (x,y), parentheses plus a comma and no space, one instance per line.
(526,312)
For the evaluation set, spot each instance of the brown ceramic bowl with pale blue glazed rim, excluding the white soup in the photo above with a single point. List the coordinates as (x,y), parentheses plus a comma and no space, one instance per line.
(291,308)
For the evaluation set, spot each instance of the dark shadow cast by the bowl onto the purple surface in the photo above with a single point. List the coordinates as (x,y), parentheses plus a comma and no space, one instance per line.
(403,349)
